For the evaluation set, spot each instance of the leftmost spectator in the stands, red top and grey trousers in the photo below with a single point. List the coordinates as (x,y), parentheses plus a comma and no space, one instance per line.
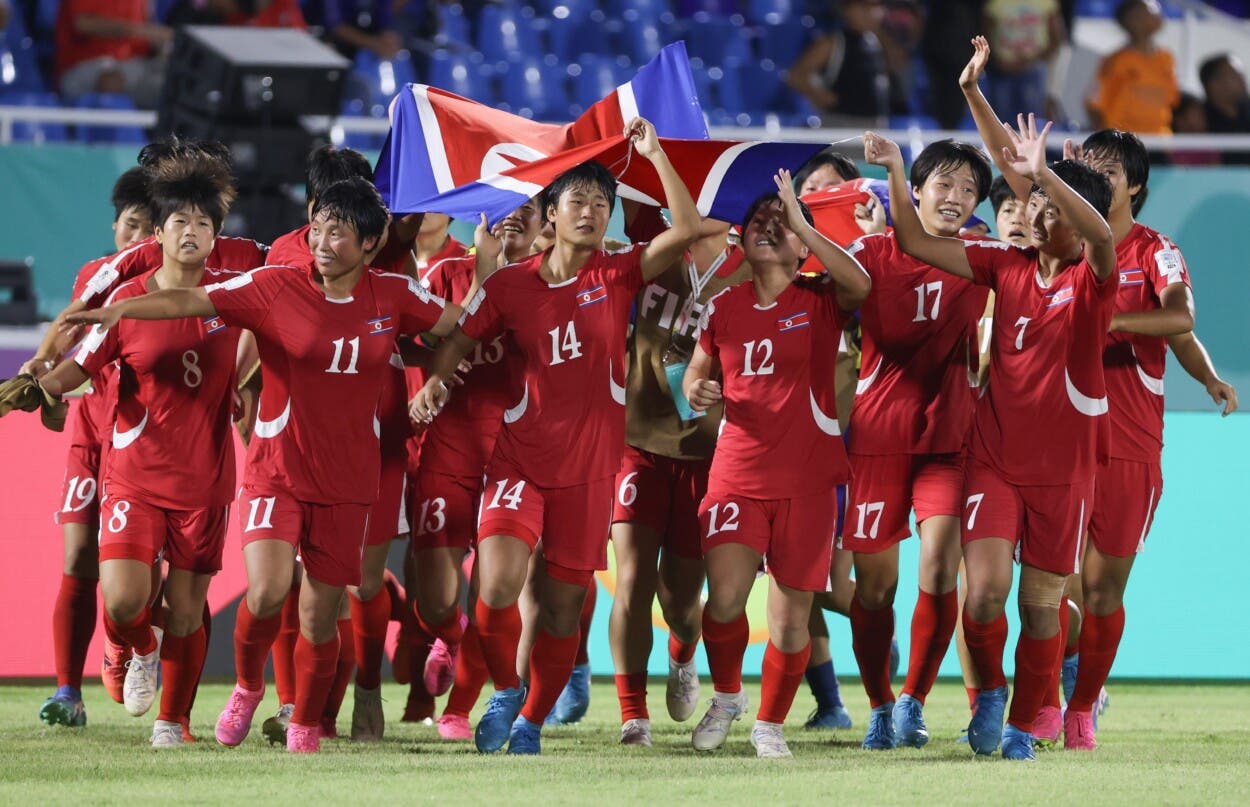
(111,47)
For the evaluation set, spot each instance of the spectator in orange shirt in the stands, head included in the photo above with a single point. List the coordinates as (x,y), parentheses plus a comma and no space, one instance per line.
(1137,86)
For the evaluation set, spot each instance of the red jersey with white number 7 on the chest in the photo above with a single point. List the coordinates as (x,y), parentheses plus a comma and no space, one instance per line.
(1043,419)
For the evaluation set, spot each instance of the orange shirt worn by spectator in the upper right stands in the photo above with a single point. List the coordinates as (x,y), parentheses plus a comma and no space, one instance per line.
(1137,92)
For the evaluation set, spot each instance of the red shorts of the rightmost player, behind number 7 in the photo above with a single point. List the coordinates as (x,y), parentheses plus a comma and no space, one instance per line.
(1126,498)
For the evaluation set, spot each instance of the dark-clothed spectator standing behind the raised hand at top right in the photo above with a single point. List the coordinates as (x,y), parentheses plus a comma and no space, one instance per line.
(949,27)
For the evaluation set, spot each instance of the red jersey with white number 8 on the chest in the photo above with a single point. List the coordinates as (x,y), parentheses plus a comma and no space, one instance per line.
(174,398)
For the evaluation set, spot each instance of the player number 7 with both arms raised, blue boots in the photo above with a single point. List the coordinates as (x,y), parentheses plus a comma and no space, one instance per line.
(1041,429)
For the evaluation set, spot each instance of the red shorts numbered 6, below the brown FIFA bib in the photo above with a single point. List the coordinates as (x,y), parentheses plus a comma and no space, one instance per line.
(663,495)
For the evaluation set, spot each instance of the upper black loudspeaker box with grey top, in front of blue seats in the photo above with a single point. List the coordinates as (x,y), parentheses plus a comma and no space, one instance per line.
(253,74)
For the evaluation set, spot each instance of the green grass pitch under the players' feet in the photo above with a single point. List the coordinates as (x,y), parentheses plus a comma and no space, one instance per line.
(1161,744)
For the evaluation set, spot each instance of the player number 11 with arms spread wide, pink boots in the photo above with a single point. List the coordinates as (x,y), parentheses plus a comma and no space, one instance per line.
(326,342)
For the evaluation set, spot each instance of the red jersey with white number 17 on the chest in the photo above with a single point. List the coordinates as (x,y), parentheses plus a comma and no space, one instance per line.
(921,359)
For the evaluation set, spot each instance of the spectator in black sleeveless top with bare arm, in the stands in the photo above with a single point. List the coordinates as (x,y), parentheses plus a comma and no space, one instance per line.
(846,74)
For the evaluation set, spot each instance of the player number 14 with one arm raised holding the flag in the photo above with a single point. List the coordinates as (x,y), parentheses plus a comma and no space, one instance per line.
(557,458)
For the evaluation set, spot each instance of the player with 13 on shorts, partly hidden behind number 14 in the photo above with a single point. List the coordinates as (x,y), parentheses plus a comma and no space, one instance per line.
(456,450)
